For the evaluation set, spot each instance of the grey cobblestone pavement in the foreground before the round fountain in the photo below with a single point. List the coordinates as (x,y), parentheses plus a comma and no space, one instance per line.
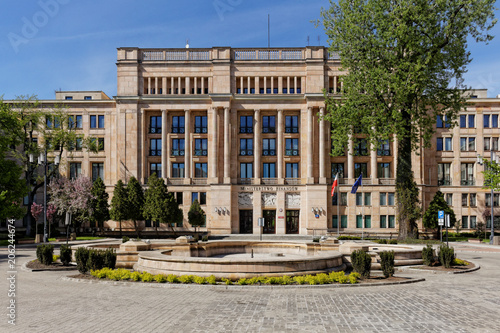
(443,303)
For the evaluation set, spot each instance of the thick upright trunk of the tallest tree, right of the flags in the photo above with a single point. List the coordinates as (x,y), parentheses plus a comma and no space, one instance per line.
(408,210)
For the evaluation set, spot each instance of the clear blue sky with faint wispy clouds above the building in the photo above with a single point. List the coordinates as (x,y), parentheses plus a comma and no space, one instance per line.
(49,45)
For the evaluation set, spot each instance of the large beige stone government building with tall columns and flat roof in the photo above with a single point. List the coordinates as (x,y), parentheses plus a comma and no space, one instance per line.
(241,131)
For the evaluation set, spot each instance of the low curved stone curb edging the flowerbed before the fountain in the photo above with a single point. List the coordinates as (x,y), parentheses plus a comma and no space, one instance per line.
(235,287)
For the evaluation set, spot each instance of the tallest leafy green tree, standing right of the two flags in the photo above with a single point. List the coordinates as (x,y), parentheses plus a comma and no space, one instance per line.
(404,63)
